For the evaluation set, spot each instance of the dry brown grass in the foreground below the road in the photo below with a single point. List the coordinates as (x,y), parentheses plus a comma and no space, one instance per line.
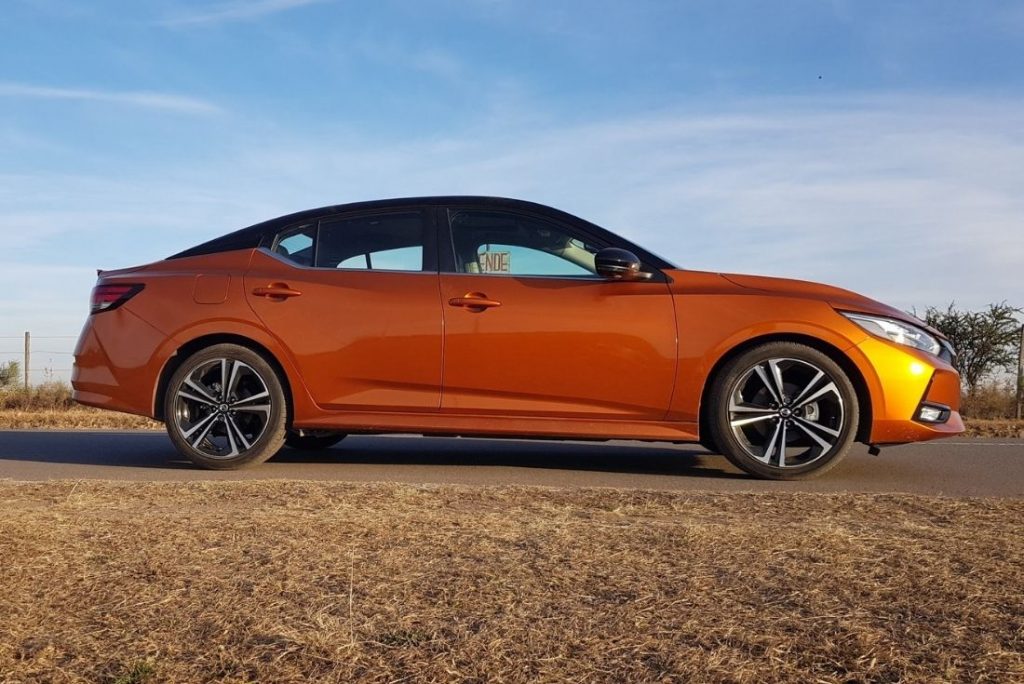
(294,582)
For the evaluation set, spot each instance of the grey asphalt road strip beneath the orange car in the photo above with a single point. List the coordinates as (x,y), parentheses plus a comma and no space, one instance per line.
(953,467)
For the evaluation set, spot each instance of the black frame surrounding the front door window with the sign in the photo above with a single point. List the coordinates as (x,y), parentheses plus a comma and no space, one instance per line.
(447,261)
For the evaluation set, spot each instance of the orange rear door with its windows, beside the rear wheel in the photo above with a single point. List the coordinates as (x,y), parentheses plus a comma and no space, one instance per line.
(355,298)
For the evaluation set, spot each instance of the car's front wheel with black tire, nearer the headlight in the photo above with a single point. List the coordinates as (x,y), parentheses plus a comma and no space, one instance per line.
(798,433)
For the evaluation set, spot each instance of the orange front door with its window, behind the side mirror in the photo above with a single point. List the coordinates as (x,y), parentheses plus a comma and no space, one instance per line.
(532,330)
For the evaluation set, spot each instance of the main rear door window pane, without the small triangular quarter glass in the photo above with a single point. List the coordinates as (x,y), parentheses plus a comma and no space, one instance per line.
(383,242)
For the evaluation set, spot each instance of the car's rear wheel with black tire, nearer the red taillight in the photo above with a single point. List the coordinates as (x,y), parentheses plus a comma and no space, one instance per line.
(226,408)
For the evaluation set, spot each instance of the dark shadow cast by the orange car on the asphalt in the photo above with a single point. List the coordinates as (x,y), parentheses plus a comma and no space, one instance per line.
(153,450)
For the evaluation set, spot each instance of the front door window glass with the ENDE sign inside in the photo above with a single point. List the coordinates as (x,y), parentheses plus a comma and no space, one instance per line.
(493,242)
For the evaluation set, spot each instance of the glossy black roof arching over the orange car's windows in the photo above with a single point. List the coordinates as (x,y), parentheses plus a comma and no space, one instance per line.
(253,236)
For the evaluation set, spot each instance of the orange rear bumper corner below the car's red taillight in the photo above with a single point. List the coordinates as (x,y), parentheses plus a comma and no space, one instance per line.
(129,386)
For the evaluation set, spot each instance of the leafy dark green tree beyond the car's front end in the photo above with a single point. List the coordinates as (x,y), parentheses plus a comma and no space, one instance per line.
(986,341)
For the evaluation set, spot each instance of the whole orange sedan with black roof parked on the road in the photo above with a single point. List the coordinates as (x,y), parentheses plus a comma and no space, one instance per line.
(484,317)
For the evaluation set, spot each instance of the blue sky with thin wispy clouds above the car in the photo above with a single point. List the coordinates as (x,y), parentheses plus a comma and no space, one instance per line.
(876,146)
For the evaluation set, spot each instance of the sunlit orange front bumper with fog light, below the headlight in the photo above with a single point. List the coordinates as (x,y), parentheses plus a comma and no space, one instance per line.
(901,380)
